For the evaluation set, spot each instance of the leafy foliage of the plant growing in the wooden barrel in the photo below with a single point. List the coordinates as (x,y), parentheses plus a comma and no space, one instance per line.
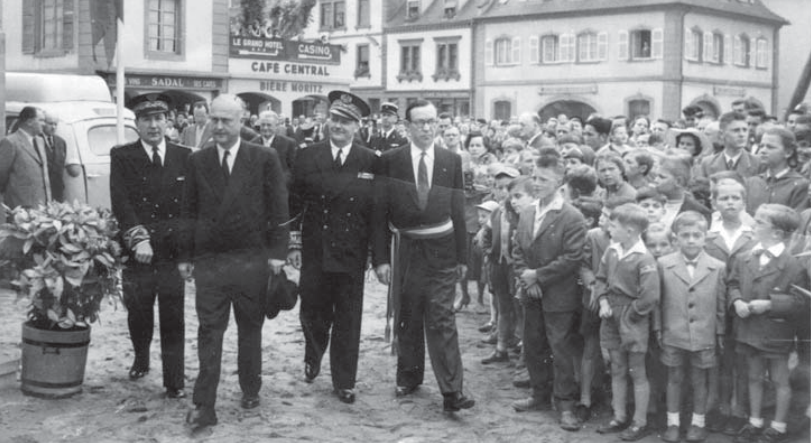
(65,260)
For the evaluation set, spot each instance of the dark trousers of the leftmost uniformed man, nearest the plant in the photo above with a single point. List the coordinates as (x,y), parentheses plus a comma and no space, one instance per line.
(142,285)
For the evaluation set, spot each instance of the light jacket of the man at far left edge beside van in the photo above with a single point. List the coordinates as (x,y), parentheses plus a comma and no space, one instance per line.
(24,178)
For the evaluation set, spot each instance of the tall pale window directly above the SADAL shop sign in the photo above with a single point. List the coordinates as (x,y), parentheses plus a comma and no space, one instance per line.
(163,24)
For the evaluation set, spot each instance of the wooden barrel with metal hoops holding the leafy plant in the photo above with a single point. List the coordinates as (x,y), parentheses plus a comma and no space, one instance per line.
(53,361)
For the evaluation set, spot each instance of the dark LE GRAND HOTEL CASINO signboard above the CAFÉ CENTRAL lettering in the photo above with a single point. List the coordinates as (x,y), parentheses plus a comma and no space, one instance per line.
(285,50)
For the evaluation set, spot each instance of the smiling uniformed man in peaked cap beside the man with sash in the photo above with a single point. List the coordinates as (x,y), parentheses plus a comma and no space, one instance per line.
(333,192)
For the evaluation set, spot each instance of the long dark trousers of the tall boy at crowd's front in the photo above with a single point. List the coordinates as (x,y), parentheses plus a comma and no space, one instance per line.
(553,330)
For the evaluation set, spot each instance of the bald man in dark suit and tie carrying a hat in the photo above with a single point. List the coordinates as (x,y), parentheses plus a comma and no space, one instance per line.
(235,210)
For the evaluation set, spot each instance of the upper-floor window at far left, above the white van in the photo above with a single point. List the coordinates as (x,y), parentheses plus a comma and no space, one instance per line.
(48,27)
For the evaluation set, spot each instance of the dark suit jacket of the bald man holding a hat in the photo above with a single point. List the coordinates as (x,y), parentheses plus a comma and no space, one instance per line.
(246,215)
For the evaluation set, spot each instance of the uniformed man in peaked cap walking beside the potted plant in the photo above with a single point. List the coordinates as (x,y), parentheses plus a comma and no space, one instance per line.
(146,186)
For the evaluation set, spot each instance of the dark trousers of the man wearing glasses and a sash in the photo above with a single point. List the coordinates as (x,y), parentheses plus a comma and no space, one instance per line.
(427,315)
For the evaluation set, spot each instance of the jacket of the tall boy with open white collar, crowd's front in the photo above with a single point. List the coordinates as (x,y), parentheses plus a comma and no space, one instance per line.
(555,254)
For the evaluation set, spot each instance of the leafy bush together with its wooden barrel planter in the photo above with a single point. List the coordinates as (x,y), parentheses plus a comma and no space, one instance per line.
(63,258)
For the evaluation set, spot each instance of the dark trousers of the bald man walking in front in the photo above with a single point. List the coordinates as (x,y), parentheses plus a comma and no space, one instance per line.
(229,280)
